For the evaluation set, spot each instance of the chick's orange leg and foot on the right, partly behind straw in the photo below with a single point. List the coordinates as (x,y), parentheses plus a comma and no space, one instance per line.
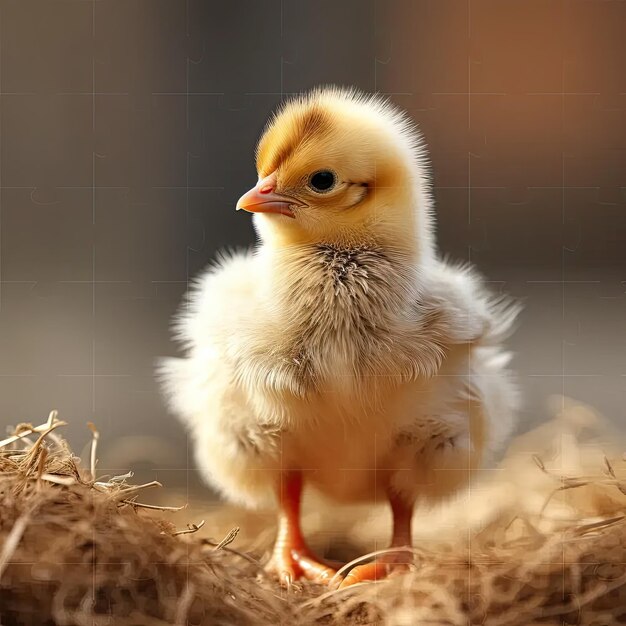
(394,562)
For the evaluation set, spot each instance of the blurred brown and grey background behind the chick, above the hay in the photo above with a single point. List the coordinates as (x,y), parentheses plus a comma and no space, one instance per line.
(127,132)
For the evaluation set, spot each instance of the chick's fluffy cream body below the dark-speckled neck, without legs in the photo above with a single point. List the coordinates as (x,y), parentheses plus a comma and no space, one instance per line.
(356,434)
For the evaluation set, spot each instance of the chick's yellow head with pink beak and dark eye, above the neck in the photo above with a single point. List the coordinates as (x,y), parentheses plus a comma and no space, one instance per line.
(339,167)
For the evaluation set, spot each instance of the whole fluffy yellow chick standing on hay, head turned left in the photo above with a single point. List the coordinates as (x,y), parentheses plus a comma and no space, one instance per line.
(342,353)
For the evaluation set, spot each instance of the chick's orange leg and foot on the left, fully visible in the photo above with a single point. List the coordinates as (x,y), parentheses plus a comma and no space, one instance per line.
(292,559)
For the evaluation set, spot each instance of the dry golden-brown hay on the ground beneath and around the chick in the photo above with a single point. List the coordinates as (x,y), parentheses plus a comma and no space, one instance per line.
(542,542)
